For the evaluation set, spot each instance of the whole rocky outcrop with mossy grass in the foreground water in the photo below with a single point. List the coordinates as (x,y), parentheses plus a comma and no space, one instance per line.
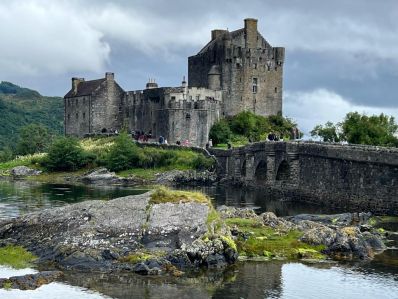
(138,234)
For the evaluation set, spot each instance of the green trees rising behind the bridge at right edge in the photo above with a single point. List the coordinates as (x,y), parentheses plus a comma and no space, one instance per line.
(359,128)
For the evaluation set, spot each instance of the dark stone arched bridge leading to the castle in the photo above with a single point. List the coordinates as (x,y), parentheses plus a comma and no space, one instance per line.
(355,178)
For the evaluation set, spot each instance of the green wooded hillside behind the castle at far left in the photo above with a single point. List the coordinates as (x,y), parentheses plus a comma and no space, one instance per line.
(22,106)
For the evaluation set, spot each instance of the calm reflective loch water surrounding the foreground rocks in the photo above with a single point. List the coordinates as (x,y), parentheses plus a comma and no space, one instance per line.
(274,279)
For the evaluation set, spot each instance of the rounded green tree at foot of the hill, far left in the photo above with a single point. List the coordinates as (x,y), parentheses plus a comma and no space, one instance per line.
(33,138)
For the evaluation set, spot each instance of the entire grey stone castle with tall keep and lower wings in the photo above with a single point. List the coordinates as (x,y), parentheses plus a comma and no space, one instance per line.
(235,71)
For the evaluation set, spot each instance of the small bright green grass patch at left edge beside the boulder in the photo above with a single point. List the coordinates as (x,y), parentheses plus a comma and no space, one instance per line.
(16,257)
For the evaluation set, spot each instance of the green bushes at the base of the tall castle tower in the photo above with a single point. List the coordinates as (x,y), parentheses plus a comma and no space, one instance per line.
(247,126)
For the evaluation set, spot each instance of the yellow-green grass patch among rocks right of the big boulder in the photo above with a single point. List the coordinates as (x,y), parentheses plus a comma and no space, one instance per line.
(267,242)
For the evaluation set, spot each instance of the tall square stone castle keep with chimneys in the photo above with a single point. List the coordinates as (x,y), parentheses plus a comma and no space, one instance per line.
(244,66)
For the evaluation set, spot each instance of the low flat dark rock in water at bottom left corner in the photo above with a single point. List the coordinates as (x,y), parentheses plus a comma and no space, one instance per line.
(30,281)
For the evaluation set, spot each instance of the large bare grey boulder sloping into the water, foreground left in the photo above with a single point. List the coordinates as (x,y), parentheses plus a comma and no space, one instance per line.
(107,235)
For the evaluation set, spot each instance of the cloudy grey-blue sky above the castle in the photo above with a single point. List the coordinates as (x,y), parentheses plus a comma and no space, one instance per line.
(341,55)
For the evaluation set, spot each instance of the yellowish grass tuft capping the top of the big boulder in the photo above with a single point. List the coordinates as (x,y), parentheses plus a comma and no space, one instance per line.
(165,195)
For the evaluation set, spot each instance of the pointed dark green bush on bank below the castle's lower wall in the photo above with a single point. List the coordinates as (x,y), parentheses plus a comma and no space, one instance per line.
(123,154)
